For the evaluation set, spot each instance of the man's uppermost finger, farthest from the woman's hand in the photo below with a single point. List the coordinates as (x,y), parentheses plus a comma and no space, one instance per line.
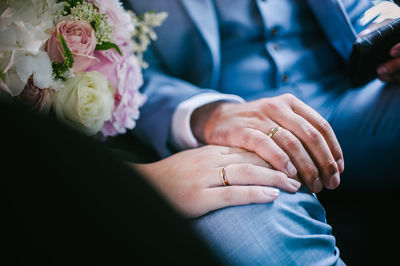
(323,127)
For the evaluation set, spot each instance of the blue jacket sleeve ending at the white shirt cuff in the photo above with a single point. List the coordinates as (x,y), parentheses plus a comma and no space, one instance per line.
(164,93)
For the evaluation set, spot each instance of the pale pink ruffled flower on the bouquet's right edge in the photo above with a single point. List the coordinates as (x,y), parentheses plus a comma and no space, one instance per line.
(124,74)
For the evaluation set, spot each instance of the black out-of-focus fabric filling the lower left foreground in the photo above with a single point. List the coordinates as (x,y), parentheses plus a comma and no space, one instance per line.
(66,200)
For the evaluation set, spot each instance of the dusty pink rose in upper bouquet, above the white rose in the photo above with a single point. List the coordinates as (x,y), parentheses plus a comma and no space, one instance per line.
(80,38)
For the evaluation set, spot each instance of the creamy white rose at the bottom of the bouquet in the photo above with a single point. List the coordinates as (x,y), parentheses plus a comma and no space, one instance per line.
(86,102)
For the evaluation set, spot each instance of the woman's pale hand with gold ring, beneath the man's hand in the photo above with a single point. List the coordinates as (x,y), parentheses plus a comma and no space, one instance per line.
(191,180)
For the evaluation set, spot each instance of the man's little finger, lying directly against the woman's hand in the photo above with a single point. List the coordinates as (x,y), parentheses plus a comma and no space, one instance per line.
(256,141)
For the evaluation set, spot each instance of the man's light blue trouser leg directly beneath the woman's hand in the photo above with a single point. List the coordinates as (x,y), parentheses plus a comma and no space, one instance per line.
(290,231)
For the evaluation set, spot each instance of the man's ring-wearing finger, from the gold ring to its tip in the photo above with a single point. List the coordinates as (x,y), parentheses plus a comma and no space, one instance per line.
(306,167)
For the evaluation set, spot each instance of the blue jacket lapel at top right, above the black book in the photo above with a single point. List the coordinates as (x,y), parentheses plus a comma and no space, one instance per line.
(336,24)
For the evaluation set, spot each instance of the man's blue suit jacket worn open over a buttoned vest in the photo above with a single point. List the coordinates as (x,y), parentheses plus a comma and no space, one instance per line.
(185,60)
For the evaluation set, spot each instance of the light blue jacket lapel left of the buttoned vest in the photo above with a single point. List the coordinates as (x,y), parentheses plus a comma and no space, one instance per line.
(205,19)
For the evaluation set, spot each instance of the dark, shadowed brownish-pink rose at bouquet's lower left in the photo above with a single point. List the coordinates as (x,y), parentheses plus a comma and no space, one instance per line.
(36,99)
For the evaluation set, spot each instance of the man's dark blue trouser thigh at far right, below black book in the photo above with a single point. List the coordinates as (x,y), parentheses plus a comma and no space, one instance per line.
(367,124)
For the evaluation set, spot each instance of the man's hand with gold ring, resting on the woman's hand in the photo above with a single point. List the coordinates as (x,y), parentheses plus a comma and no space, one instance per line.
(305,147)
